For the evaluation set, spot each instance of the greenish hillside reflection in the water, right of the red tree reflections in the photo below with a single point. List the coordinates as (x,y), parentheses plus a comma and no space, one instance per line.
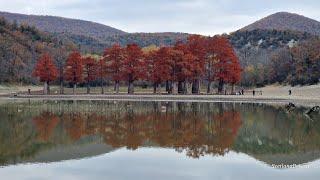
(273,130)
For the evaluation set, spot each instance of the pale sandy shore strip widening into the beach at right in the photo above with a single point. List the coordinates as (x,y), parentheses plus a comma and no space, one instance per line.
(305,96)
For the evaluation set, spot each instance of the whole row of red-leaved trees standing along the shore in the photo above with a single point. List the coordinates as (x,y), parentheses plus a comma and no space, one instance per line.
(181,68)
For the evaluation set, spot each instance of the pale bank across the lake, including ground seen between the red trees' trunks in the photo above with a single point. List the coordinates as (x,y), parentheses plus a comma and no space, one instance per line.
(307,95)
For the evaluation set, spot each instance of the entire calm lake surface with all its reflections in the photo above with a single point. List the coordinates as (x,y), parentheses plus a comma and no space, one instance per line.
(156,140)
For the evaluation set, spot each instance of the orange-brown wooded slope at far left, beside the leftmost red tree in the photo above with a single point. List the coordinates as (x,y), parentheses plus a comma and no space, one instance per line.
(21,46)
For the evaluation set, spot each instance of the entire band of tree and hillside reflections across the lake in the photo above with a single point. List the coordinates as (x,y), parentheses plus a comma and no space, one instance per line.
(196,129)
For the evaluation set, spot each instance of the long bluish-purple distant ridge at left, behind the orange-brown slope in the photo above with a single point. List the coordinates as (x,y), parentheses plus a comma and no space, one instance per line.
(89,36)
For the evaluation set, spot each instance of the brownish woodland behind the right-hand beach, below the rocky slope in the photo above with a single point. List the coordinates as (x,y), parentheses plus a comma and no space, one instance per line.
(298,64)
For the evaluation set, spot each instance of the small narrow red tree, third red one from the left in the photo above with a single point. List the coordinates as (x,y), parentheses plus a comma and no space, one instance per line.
(90,71)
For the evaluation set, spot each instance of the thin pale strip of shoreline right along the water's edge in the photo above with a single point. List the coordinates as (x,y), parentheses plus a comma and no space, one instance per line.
(303,101)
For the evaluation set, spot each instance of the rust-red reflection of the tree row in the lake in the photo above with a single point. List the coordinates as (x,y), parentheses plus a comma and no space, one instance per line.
(183,130)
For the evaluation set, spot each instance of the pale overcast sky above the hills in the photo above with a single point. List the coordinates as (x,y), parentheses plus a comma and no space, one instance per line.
(206,17)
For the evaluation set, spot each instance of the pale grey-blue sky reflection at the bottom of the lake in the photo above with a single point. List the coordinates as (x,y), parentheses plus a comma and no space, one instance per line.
(153,163)
